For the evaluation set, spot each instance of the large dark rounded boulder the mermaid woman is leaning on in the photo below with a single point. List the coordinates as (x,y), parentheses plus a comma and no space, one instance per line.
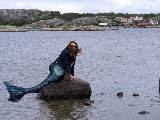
(71,89)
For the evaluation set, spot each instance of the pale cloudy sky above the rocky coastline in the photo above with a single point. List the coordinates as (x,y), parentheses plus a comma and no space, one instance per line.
(86,6)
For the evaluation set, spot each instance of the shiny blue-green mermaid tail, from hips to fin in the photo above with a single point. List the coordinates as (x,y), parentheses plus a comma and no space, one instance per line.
(16,93)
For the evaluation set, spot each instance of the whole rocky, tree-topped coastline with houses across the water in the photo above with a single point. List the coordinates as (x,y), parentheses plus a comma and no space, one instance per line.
(22,20)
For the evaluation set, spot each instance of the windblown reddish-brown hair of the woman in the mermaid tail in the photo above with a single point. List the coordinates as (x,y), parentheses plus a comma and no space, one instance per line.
(74,50)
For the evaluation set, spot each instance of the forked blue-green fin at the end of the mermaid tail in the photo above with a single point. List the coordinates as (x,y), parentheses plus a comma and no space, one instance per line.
(16,93)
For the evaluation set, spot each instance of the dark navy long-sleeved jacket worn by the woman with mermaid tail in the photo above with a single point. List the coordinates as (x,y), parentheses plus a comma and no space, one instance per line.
(66,61)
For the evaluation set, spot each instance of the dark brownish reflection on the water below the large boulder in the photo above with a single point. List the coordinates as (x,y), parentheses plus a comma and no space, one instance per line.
(65,109)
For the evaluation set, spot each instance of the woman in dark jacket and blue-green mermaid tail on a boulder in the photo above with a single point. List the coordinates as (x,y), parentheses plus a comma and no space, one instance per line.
(61,68)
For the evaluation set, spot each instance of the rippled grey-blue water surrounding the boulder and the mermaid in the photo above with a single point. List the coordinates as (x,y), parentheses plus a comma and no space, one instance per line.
(125,60)
